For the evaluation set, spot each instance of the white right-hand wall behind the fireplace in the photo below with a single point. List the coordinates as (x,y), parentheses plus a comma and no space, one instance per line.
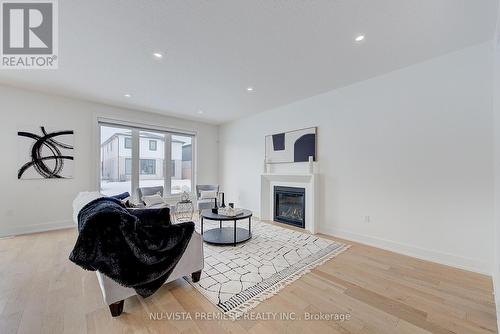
(412,149)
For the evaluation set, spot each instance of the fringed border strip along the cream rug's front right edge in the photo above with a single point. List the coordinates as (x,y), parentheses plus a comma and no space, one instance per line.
(240,310)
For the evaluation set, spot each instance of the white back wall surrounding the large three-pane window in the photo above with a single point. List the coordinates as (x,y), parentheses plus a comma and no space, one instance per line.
(37,205)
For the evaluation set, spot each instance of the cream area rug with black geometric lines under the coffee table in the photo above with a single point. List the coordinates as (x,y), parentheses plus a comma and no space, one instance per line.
(237,279)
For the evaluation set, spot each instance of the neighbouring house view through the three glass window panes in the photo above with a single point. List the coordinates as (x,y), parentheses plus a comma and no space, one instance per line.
(116,157)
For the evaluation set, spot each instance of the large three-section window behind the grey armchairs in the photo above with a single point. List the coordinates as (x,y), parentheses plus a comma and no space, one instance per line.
(151,158)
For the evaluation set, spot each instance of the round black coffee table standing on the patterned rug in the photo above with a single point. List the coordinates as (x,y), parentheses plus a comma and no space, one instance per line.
(226,235)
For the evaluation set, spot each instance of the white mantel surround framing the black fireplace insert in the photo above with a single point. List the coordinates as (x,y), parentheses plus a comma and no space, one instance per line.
(306,181)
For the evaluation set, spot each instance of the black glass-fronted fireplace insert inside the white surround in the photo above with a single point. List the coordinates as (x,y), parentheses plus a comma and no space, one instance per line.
(289,205)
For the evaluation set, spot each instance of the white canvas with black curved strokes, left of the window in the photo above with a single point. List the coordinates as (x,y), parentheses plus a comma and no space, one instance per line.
(45,153)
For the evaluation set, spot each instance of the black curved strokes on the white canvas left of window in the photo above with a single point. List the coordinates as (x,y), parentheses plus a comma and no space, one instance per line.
(46,148)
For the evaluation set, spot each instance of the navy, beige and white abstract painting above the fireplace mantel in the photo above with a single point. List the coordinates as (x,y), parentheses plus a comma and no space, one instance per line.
(293,146)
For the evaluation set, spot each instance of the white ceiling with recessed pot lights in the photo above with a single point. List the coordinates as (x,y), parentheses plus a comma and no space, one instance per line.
(214,50)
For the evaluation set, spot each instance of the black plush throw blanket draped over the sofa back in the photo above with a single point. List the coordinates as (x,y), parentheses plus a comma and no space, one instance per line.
(136,248)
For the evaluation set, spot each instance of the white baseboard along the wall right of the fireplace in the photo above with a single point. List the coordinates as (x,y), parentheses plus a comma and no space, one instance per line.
(464,263)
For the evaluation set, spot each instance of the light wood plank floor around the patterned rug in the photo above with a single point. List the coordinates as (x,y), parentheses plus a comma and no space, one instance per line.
(42,292)
